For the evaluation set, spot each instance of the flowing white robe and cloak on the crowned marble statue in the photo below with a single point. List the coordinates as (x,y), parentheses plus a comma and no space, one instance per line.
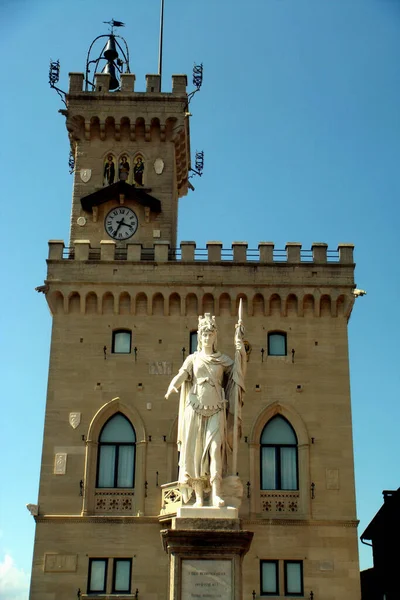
(210,395)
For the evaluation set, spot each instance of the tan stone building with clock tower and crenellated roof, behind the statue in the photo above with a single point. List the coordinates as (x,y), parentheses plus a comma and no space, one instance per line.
(125,303)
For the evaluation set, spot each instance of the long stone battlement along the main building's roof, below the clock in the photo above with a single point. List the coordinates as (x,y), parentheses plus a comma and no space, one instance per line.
(266,253)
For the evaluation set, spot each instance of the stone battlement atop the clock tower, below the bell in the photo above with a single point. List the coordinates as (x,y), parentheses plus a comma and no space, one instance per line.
(102,80)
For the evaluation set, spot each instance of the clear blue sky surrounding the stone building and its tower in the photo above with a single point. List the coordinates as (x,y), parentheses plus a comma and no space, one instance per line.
(299,119)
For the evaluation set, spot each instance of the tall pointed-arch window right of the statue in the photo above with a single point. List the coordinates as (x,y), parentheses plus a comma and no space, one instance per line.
(279,464)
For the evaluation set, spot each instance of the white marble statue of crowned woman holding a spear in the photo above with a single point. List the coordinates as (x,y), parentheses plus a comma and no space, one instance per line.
(212,386)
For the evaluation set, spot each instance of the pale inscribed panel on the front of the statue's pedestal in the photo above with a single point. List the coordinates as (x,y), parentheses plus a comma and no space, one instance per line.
(209,578)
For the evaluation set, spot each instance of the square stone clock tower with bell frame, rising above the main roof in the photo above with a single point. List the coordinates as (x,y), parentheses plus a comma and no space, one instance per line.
(131,152)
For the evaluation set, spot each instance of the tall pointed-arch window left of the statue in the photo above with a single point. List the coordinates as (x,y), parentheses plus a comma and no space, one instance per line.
(116,458)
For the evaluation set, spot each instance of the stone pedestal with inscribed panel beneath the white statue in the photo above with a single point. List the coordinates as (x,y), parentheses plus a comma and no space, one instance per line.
(206,549)
